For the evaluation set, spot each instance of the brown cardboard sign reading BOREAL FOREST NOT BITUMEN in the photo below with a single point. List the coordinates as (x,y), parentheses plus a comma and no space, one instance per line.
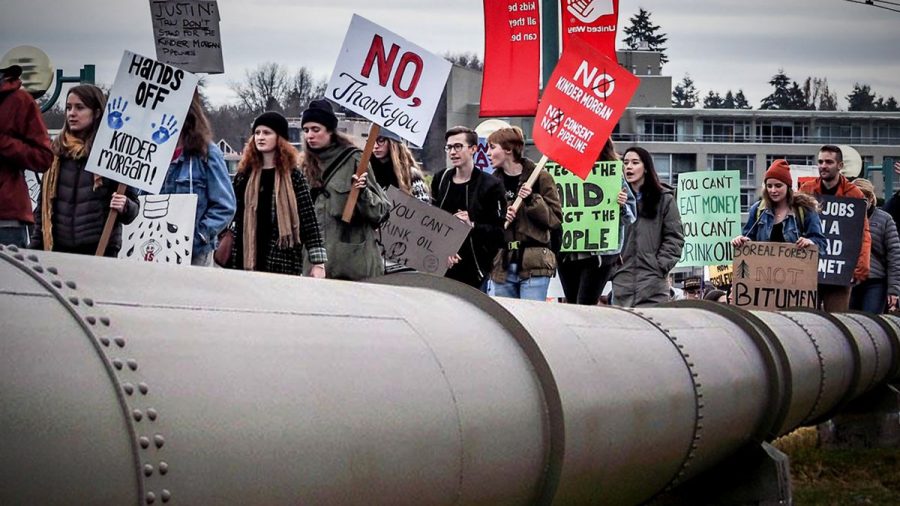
(774,276)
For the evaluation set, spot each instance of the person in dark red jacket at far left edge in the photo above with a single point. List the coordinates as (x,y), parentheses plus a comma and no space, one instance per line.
(24,145)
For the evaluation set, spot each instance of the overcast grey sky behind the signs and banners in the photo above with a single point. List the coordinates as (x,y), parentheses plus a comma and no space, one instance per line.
(734,44)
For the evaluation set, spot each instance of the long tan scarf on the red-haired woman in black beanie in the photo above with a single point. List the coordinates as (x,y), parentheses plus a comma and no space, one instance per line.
(285,212)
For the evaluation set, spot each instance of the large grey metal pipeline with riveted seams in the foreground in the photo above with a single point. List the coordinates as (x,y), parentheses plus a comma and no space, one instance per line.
(132,383)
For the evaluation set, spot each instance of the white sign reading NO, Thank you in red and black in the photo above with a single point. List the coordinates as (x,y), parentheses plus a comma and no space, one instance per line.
(388,79)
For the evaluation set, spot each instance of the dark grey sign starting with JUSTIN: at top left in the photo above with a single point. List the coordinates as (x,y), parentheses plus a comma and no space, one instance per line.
(187,34)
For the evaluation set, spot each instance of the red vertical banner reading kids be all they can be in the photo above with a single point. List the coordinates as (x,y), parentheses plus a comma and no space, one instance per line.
(512,58)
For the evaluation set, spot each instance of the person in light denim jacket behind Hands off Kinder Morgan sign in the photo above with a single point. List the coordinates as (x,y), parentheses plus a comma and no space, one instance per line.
(198,167)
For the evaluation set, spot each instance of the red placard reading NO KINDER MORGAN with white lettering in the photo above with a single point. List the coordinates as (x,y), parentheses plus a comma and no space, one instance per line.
(582,102)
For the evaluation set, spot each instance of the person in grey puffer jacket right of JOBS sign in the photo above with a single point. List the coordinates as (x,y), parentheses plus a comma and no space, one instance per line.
(881,288)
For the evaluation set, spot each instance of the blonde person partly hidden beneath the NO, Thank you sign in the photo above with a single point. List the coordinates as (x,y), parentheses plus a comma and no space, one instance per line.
(393,165)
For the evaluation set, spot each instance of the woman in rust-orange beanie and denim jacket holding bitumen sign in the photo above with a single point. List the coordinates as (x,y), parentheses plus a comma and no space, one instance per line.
(775,217)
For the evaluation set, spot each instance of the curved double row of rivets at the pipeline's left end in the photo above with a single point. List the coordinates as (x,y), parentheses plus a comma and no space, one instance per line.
(122,372)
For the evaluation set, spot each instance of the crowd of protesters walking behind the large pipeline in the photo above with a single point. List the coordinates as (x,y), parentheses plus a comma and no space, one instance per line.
(282,212)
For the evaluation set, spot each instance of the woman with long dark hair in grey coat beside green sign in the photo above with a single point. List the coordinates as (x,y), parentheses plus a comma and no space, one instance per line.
(653,243)
